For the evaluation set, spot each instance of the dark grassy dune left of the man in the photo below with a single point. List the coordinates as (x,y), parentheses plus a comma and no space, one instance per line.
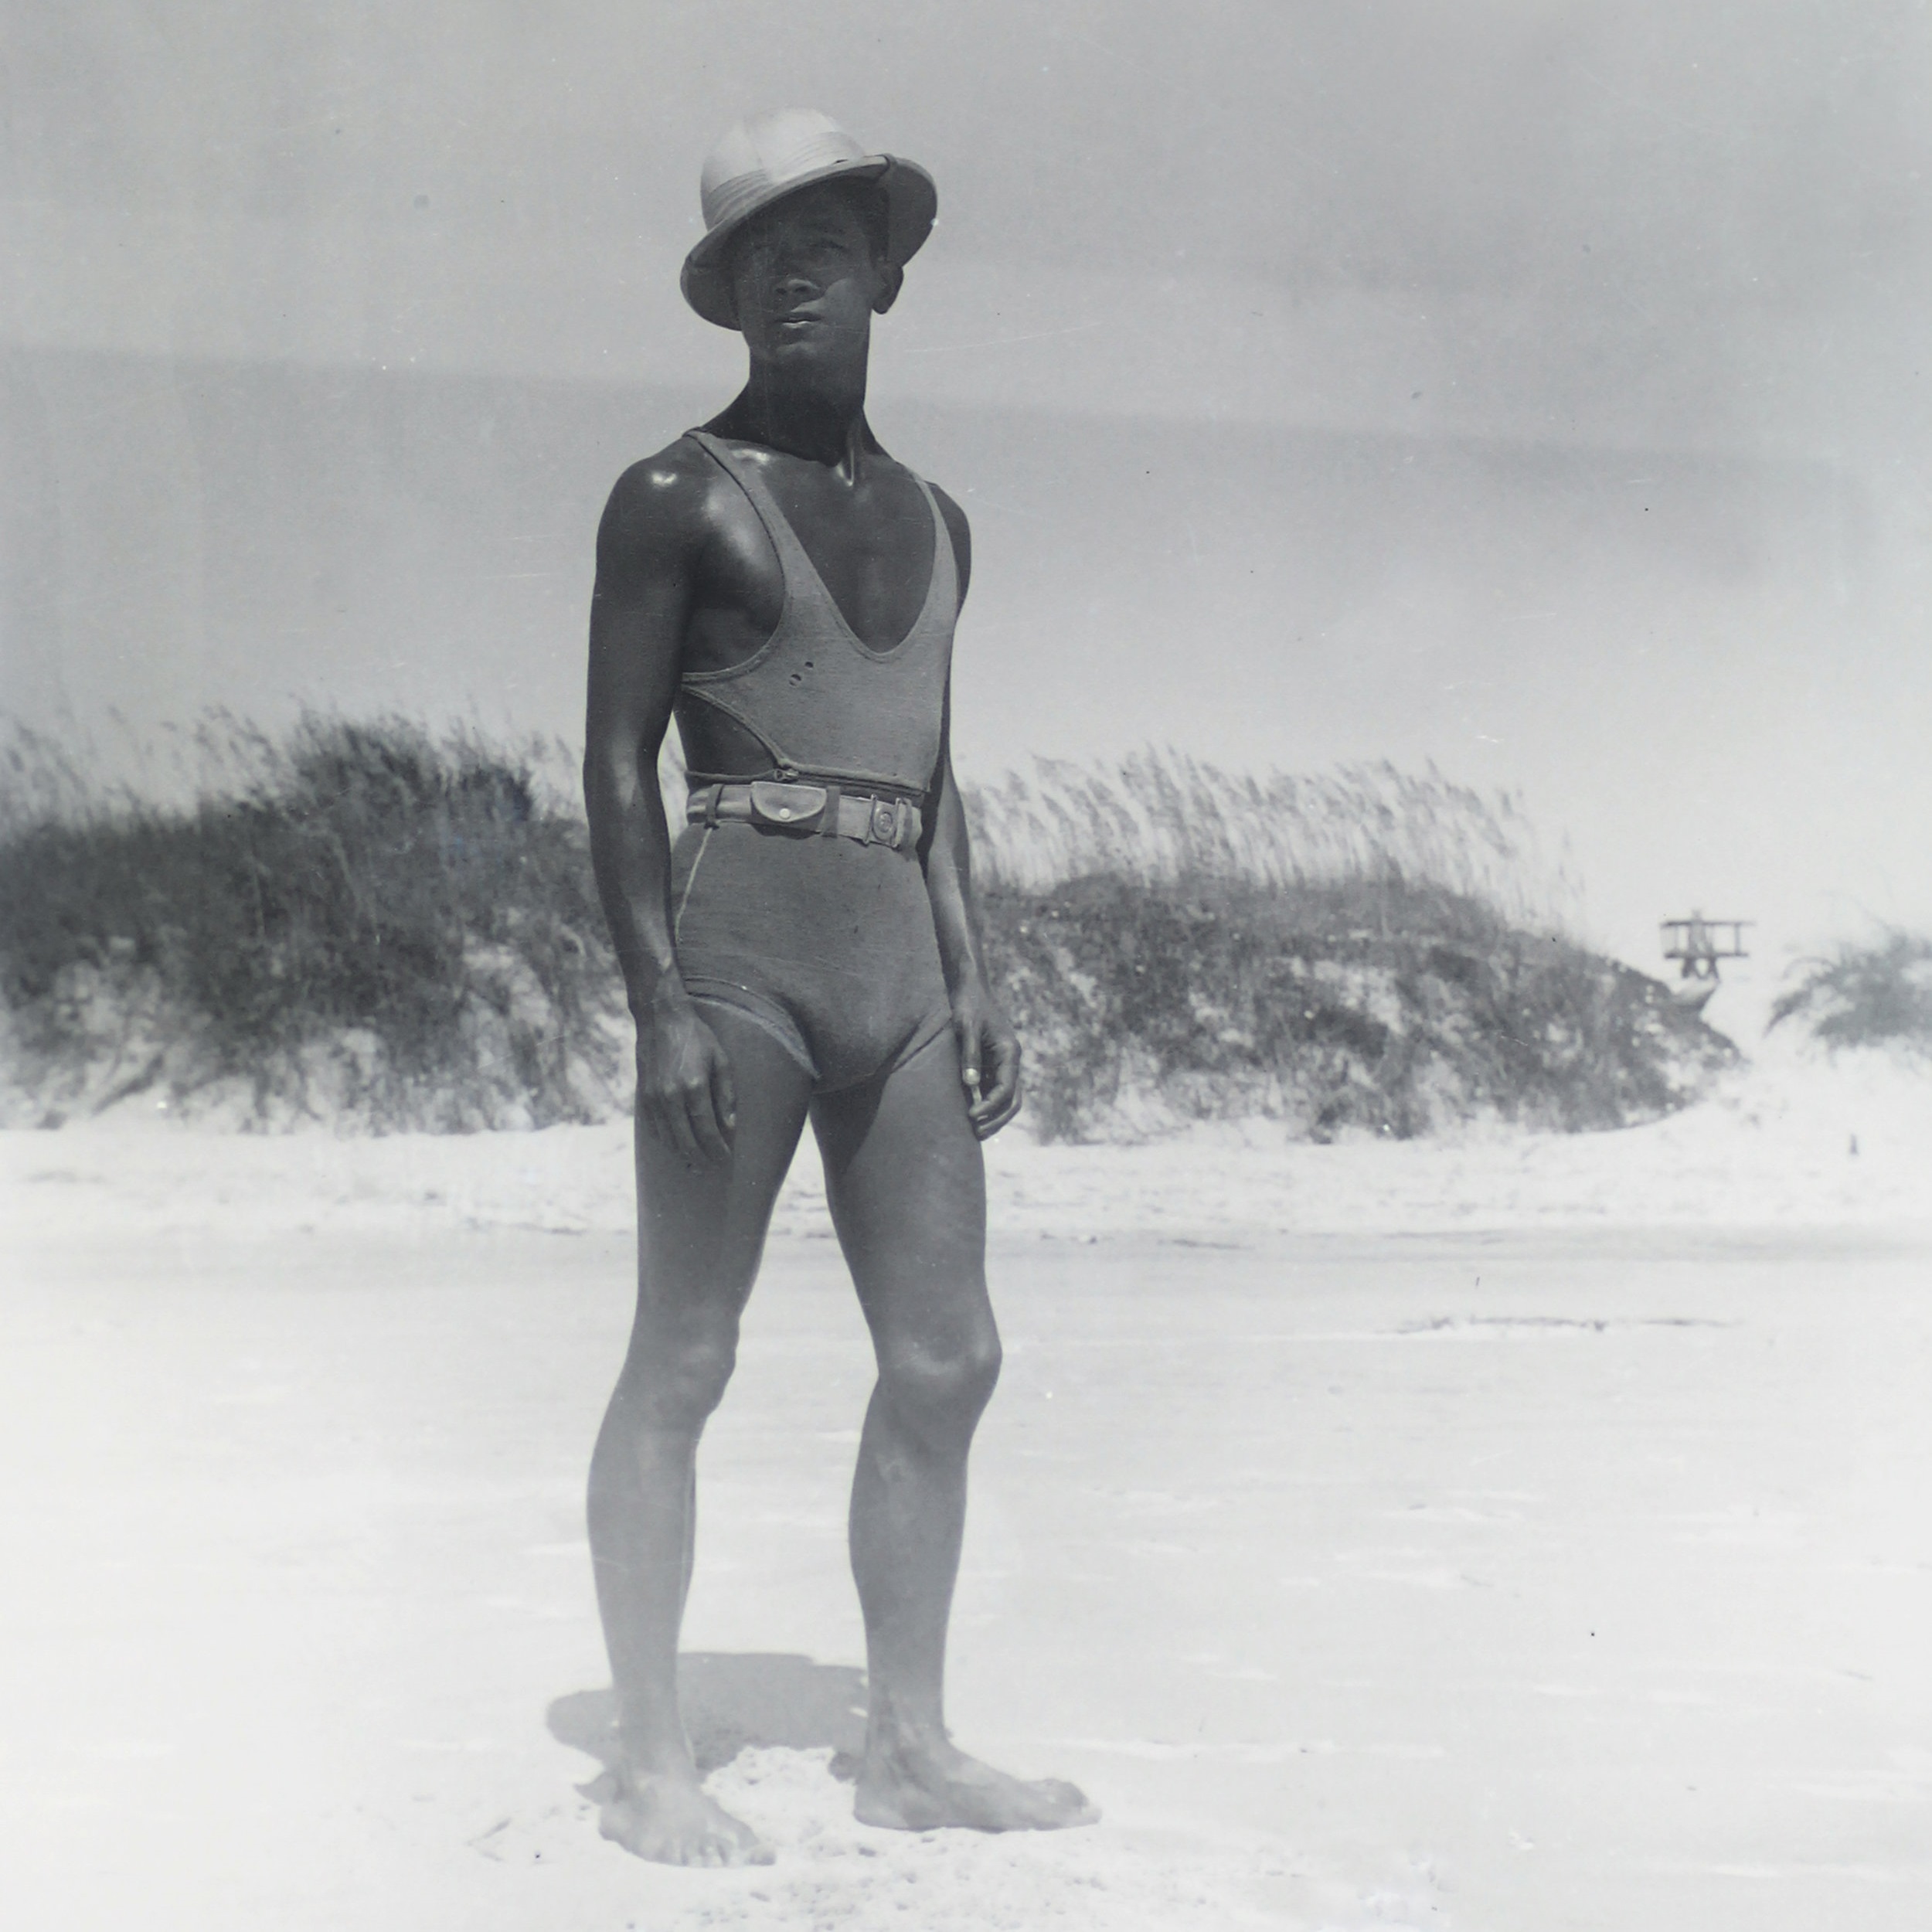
(358,917)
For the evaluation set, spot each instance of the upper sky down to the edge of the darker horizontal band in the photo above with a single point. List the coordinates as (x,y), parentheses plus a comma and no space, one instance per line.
(1637,219)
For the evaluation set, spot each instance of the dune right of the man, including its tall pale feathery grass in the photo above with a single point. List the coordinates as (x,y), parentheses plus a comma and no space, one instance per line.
(1365,952)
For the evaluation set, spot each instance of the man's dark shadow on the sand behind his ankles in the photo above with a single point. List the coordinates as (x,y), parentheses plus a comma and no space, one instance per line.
(737,1701)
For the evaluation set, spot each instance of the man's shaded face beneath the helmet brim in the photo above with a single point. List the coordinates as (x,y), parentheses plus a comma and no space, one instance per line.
(807,281)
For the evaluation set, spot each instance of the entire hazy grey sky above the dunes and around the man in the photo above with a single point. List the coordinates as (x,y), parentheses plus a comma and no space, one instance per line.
(1533,387)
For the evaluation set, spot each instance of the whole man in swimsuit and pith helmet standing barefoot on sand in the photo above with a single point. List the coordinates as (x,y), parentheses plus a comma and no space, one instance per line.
(809,948)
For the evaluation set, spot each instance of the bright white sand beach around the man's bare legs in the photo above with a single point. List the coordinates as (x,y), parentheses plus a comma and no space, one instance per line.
(1512,1535)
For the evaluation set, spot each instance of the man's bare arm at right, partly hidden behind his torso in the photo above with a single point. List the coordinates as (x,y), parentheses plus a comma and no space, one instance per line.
(990,1050)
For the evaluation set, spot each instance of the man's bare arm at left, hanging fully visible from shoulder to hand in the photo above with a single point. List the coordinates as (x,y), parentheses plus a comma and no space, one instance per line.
(650,548)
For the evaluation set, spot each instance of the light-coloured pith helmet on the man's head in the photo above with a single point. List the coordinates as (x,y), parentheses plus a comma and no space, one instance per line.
(776,156)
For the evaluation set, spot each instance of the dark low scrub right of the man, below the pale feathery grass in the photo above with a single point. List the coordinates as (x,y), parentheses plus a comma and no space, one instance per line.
(1141,1004)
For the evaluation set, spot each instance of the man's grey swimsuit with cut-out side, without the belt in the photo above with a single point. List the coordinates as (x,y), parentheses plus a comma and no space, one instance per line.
(824,942)
